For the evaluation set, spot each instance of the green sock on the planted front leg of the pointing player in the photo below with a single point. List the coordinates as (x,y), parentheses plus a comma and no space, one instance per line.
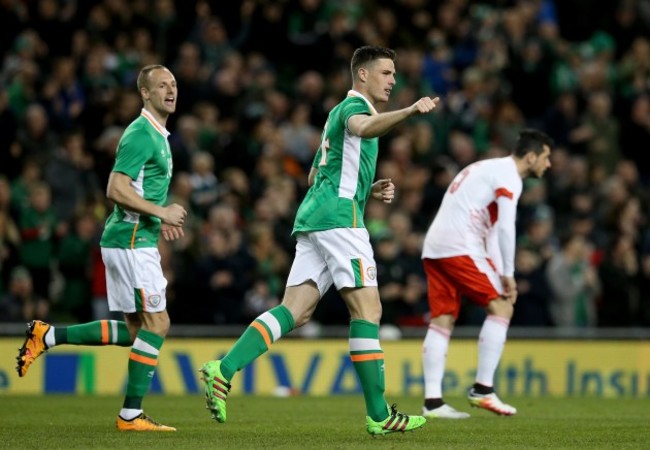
(368,360)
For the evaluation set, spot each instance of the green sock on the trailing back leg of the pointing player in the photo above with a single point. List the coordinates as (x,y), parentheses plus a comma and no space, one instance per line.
(258,337)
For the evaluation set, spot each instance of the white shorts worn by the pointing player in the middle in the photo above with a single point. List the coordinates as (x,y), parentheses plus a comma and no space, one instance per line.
(342,256)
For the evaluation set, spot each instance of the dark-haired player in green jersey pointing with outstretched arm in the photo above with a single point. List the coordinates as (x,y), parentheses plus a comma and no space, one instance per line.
(333,246)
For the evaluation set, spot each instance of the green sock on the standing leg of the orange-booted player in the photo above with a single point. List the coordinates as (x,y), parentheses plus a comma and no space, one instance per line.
(143,360)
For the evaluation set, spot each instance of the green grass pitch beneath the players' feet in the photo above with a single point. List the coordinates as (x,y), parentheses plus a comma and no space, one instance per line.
(81,422)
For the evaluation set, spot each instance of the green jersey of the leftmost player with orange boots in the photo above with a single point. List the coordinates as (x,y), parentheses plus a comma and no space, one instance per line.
(144,155)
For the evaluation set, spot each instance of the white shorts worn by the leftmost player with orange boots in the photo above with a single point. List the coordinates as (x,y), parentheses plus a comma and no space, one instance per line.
(134,280)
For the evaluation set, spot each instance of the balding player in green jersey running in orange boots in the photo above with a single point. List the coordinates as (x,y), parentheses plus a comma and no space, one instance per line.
(135,282)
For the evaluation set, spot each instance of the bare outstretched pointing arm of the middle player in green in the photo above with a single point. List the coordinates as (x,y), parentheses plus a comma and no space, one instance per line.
(380,124)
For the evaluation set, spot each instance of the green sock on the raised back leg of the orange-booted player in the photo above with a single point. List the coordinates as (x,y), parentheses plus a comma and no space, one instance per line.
(101,332)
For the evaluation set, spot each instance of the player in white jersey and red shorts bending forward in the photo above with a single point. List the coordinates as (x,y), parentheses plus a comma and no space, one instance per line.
(469,250)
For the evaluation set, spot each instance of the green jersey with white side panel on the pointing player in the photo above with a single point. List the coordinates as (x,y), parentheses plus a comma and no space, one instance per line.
(346,169)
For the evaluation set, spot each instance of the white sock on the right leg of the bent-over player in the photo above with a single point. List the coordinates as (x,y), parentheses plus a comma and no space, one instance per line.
(491,341)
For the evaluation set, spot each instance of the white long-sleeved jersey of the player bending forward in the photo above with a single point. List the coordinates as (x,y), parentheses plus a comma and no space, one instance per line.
(477,215)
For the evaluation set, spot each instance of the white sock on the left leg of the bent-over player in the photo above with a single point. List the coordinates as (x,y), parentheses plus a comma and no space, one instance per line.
(434,359)
